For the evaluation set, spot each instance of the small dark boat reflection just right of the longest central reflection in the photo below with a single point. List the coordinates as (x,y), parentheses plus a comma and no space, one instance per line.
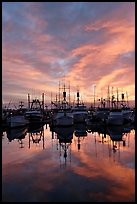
(80,131)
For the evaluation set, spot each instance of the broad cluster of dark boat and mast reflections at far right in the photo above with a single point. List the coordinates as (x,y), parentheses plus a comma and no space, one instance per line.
(114,138)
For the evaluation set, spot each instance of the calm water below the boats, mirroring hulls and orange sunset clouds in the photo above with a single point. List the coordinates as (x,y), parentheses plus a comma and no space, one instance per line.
(72,164)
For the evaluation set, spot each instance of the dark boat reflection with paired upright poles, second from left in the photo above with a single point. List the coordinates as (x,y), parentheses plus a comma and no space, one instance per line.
(36,134)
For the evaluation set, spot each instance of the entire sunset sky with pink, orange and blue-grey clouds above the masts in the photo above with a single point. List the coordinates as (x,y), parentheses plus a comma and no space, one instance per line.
(87,44)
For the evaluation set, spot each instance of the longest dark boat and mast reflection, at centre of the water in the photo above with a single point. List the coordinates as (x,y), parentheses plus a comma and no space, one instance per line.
(64,136)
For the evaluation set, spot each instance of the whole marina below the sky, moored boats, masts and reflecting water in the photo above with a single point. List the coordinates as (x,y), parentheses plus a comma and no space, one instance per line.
(86,152)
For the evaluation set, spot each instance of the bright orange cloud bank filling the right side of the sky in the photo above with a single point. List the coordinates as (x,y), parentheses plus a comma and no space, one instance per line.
(101,62)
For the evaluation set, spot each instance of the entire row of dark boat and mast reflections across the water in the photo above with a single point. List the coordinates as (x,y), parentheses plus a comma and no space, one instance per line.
(107,141)
